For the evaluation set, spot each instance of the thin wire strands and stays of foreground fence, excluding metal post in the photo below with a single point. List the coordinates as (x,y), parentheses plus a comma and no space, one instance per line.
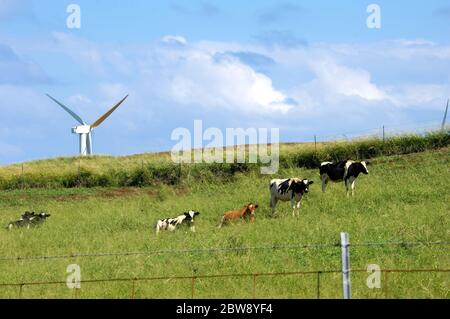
(194,278)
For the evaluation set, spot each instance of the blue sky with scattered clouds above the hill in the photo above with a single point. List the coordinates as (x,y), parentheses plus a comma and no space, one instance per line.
(306,67)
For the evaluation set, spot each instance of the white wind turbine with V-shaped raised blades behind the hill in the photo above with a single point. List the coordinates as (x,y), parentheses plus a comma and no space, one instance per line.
(84,130)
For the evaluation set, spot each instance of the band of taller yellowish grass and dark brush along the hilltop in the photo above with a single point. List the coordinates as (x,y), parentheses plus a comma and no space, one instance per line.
(157,168)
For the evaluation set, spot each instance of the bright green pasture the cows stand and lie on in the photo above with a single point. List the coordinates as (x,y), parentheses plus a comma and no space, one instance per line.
(404,198)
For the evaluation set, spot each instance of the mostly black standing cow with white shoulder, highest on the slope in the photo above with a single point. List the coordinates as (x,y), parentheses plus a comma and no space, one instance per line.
(346,171)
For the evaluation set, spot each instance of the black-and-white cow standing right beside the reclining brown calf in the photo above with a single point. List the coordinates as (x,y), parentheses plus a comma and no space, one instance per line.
(288,189)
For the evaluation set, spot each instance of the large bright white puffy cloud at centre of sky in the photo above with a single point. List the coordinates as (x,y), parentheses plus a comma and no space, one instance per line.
(229,84)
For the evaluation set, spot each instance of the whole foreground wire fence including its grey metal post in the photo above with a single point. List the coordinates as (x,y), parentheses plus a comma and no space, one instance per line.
(346,270)
